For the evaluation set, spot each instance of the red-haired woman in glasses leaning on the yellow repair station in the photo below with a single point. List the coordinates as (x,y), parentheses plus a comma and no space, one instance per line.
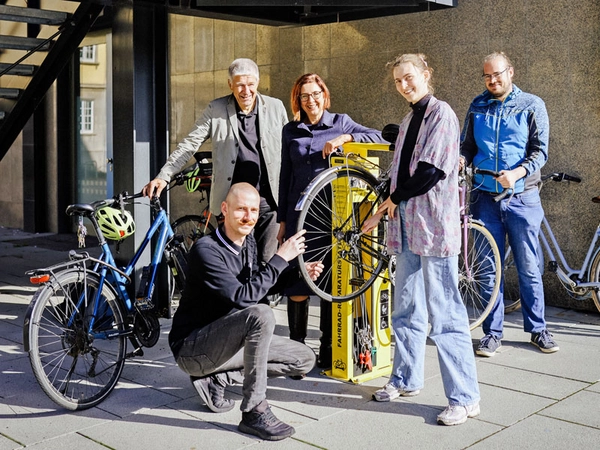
(307,142)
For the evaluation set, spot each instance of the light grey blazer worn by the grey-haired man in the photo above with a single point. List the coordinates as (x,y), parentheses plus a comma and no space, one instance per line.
(219,123)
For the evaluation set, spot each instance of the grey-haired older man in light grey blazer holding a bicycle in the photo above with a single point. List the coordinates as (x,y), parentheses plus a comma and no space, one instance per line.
(245,129)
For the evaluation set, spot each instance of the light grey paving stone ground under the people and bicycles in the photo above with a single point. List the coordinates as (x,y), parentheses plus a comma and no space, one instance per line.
(529,399)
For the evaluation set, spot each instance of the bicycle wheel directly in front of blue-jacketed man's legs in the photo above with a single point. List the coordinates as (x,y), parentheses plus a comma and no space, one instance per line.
(479,273)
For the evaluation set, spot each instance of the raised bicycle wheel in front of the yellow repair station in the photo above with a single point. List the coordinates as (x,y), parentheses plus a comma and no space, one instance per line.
(332,216)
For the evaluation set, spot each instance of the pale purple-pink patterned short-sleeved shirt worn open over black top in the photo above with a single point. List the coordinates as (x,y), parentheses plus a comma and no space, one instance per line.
(432,219)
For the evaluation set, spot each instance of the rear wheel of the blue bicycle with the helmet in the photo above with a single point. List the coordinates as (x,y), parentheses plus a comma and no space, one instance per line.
(77,367)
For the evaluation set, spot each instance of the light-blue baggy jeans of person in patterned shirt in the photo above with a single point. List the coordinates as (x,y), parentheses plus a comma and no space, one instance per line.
(426,290)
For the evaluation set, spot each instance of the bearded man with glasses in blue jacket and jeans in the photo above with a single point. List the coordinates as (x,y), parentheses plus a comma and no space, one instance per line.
(506,130)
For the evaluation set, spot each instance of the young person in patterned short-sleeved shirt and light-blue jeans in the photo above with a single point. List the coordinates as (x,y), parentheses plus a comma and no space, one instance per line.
(424,234)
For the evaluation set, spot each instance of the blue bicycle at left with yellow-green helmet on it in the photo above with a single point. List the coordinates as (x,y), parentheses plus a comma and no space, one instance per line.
(79,321)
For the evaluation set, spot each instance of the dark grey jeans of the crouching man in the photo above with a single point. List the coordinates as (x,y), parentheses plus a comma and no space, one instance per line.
(243,343)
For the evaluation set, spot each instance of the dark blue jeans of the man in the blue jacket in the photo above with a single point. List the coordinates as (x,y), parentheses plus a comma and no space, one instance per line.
(519,218)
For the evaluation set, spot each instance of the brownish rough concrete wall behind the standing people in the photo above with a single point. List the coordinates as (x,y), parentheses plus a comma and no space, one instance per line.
(554,48)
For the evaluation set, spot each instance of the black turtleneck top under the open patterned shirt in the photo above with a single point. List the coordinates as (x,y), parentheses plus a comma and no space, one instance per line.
(426,175)
